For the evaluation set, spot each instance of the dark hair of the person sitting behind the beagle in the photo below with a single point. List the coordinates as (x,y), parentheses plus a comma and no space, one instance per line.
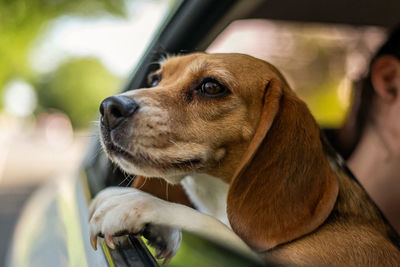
(361,110)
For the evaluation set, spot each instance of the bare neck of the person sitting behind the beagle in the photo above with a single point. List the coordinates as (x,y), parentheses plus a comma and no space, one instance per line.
(376,164)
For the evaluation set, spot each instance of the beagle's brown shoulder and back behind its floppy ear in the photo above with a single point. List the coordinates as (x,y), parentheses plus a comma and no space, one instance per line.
(353,235)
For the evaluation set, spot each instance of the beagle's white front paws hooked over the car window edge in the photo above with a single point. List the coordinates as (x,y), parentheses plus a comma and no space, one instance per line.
(117,212)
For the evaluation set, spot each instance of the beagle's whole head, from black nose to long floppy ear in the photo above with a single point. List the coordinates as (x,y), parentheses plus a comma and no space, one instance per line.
(234,117)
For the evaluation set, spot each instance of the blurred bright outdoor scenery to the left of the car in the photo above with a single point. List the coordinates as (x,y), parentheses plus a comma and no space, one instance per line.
(58,60)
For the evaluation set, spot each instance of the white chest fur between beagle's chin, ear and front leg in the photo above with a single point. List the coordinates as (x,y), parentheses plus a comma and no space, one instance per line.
(208,194)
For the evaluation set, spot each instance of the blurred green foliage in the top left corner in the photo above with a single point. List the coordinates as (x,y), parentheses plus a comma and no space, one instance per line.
(21,21)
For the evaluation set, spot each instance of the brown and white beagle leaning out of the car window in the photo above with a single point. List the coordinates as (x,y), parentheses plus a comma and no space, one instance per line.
(251,159)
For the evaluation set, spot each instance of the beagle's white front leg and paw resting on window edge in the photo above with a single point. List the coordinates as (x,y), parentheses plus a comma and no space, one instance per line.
(117,211)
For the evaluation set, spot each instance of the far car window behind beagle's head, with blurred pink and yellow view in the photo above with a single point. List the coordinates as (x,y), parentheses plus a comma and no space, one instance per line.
(320,61)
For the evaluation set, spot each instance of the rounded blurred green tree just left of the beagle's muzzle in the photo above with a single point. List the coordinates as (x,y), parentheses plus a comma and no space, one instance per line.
(77,87)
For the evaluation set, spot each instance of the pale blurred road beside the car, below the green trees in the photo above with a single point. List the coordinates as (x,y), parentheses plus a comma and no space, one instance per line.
(30,156)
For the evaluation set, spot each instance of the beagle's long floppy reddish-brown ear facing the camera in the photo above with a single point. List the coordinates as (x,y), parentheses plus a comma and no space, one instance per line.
(284,187)
